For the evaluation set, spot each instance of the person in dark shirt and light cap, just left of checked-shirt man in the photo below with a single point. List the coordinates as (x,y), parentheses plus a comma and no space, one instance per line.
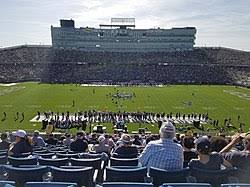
(125,149)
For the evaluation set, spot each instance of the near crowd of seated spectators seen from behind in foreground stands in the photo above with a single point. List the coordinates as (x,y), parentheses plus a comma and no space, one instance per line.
(167,150)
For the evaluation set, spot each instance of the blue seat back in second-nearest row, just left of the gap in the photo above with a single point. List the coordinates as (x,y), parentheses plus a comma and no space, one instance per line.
(82,176)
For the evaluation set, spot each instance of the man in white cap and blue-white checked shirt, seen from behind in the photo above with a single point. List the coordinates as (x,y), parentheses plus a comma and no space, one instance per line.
(163,153)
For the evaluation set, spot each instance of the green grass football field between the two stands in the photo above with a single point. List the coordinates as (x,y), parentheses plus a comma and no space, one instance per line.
(219,101)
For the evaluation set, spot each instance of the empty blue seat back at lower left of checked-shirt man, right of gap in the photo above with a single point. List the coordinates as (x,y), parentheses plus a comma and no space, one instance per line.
(137,174)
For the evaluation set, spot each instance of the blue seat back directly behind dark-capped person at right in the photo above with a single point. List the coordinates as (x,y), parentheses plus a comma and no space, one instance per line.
(213,177)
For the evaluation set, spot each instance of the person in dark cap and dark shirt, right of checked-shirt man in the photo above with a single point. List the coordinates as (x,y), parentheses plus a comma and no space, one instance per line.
(206,159)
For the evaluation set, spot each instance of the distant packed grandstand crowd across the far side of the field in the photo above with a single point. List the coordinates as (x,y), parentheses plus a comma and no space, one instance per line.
(201,65)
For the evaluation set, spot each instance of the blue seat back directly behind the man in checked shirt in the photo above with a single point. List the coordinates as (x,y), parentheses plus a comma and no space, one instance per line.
(161,176)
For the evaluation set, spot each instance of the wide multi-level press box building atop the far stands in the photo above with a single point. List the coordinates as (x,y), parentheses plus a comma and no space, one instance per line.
(121,35)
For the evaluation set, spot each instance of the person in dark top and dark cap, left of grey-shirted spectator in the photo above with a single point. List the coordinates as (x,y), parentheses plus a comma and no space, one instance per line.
(79,144)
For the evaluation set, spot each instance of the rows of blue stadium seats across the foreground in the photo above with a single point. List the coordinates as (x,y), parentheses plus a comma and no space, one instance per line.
(58,164)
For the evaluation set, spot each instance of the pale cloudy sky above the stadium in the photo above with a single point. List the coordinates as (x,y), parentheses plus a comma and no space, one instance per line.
(224,23)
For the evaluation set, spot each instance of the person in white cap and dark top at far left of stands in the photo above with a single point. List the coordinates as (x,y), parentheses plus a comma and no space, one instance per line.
(21,145)
